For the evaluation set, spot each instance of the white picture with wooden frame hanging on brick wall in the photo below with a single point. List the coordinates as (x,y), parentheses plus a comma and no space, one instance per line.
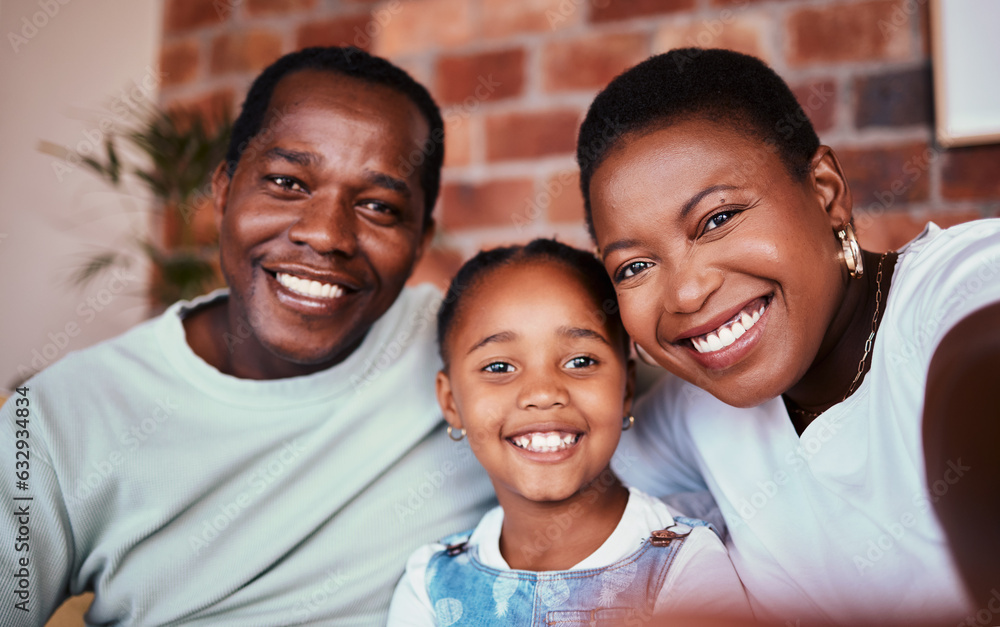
(965,53)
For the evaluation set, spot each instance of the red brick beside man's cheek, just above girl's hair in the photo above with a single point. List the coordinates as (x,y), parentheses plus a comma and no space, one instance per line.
(494,203)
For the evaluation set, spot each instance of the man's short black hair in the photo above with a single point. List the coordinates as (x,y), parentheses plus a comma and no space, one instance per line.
(358,64)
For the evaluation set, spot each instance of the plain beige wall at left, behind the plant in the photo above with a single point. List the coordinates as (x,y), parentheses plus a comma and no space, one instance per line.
(60,71)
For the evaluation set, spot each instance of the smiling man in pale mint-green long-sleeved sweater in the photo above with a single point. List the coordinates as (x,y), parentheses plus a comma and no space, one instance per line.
(270,454)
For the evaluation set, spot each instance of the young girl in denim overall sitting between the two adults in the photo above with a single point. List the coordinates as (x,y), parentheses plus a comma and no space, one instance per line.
(537,378)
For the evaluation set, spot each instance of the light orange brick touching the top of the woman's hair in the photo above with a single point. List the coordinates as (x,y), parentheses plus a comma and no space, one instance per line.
(726,30)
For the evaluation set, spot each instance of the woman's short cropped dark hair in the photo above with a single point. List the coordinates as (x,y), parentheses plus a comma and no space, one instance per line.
(723,86)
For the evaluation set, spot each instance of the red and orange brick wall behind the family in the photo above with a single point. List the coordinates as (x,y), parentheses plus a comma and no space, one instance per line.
(515,77)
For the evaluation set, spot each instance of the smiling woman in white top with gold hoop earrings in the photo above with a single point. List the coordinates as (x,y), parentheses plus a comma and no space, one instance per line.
(840,405)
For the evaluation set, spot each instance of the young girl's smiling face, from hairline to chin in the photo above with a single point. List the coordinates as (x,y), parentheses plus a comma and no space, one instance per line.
(537,379)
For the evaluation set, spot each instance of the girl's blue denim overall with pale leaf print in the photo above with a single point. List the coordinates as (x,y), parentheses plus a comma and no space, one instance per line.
(464,591)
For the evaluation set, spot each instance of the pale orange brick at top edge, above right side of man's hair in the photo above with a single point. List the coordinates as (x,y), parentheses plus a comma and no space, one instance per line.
(418,25)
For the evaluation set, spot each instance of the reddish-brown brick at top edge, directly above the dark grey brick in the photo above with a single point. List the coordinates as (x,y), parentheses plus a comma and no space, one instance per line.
(858,31)
